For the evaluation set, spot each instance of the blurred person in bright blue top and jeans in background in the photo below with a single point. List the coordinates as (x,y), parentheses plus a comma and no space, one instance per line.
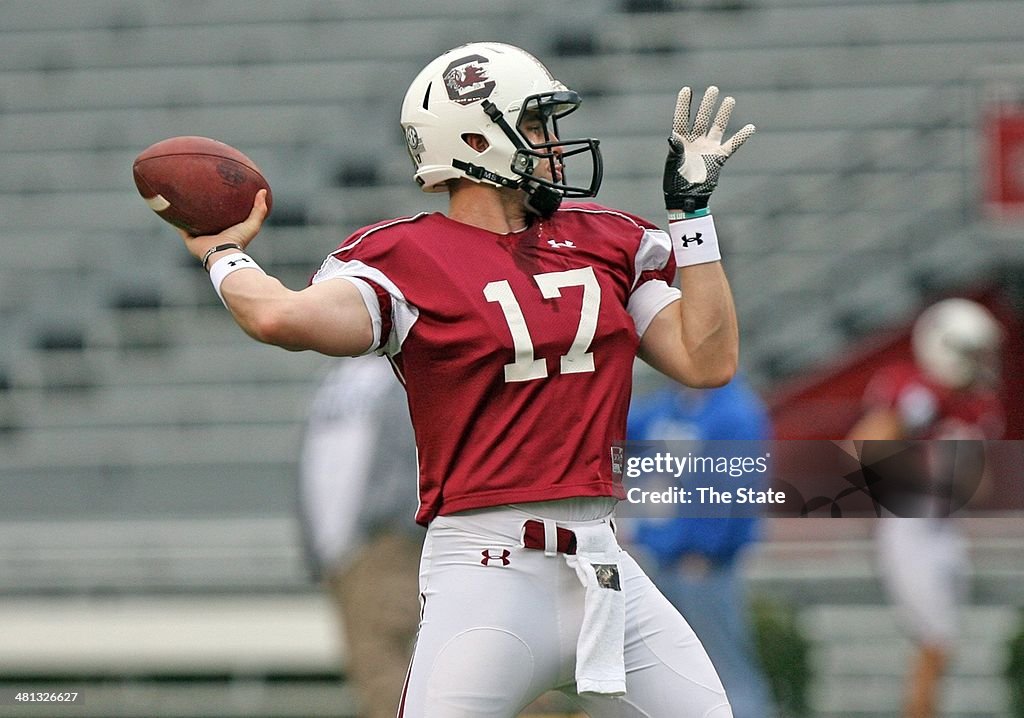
(697,562)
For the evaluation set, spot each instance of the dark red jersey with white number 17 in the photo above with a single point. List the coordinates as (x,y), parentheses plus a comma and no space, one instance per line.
(478,323)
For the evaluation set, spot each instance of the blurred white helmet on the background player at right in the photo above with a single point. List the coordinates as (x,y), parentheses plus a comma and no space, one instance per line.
(956,343)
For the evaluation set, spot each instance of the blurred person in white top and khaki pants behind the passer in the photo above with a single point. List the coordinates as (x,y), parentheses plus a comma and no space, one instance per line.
(358,499)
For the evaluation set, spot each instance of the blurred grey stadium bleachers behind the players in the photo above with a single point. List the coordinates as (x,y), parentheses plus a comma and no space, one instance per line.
(149,448)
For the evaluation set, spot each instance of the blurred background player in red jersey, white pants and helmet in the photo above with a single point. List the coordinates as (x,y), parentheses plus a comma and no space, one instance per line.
(948,392)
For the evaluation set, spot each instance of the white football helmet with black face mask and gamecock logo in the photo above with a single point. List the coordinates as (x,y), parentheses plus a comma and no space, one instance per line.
(487,89)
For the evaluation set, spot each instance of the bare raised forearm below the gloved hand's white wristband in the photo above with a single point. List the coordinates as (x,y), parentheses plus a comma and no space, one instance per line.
(696,341)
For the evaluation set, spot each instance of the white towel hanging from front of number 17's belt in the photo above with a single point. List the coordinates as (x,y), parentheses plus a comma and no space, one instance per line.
(601,665)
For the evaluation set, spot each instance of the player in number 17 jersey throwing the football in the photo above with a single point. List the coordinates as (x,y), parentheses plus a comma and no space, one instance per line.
(514,321)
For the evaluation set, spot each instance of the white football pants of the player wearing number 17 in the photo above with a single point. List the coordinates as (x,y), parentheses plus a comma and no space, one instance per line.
(500,624)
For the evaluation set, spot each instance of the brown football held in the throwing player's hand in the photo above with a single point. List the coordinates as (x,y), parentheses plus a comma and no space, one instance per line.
(198,184)
